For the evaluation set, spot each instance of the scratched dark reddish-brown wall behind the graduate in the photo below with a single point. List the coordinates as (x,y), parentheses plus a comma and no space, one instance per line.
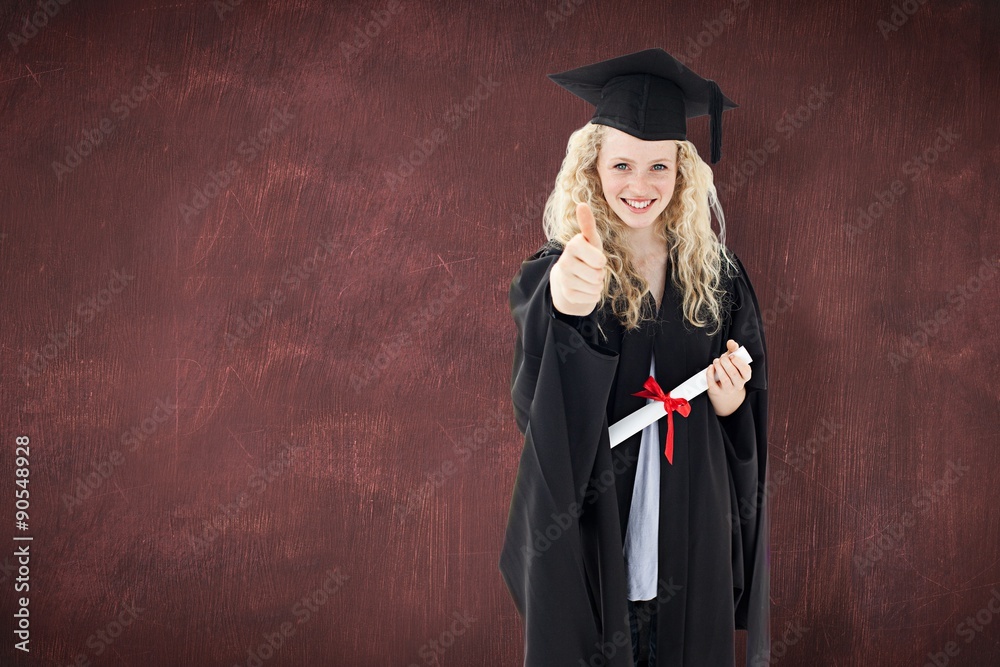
(255,267)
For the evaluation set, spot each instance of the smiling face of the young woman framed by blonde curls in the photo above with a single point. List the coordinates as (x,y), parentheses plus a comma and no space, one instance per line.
(637,176)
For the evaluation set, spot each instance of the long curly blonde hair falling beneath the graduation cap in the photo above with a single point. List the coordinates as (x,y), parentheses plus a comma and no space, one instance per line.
(695,254)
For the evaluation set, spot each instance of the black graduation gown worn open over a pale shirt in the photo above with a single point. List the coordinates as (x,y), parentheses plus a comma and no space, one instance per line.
(562,558)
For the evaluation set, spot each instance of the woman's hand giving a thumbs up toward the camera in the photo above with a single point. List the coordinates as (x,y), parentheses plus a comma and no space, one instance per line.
(577,278)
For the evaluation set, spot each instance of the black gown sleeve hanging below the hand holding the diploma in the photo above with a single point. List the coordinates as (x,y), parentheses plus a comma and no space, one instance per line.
(745,436)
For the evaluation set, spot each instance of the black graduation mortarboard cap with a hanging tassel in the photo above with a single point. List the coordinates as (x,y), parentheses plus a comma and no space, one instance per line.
(648,94)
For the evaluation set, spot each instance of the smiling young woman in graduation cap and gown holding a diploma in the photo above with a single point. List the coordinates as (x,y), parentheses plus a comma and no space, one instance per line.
(655,551)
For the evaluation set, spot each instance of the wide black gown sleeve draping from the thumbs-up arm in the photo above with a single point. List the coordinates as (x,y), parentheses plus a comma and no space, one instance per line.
(563,587)
